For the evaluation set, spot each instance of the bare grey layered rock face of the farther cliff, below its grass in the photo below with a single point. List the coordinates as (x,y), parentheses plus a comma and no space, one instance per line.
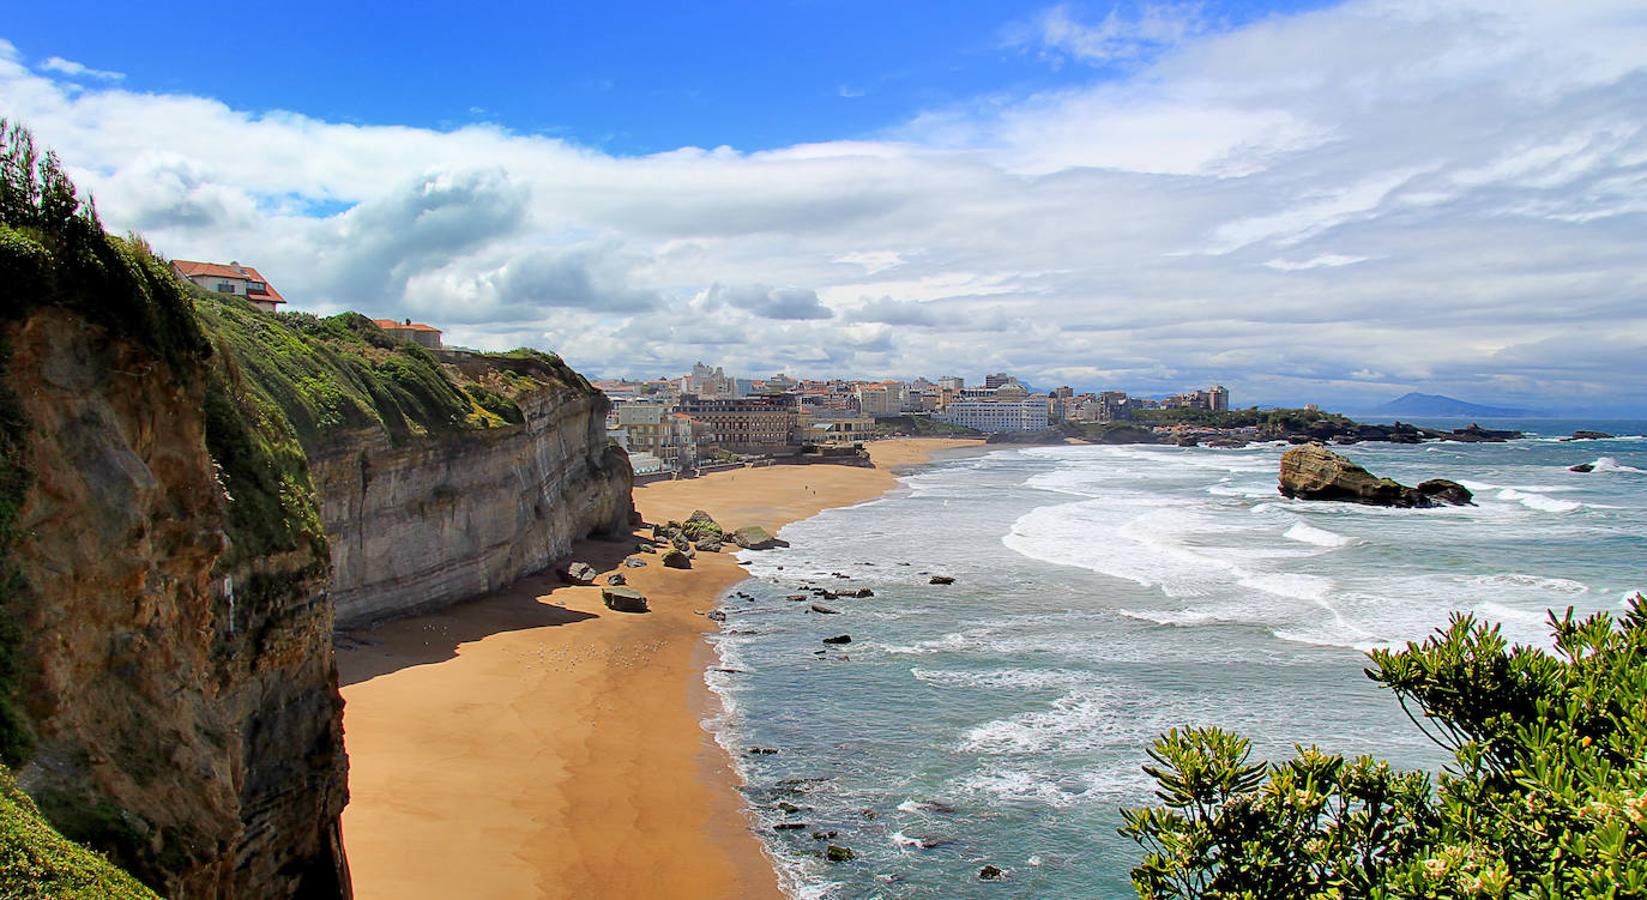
(447,518)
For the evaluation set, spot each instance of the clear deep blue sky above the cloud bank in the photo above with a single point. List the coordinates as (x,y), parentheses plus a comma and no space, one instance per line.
(623,77)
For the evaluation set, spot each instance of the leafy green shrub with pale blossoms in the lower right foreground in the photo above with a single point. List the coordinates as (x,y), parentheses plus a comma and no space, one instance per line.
(1546,799)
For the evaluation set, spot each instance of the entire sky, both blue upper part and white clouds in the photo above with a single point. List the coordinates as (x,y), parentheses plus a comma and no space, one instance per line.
(1305,202)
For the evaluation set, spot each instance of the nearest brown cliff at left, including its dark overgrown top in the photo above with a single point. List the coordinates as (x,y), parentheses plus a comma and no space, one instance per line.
(169,693)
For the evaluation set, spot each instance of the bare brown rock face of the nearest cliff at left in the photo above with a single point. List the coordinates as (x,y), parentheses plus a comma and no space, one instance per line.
(182,695)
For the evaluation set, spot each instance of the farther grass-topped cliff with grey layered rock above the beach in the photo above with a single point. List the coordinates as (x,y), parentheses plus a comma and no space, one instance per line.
(442,476)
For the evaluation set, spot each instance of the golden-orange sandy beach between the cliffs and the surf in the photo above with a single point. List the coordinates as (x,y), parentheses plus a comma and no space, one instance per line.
(536,744)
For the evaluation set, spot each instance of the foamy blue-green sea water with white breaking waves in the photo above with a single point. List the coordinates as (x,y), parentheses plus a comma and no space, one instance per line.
(1103,596)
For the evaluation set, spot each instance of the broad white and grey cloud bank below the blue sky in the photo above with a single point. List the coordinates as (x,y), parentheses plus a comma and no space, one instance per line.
(1337,205)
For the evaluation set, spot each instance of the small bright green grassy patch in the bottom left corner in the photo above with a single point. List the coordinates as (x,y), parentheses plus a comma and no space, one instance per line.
(37,861)
